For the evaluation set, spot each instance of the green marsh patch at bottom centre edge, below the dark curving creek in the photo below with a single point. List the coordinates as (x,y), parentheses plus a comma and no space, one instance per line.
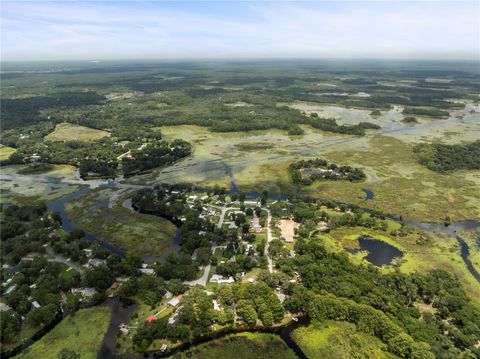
(242,346)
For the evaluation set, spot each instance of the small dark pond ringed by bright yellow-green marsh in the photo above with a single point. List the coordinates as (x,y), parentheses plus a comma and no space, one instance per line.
(379,252)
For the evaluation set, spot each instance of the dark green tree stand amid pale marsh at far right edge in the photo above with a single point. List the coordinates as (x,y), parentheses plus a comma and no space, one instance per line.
(445,158)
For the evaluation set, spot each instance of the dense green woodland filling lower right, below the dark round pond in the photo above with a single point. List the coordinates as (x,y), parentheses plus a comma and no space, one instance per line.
(384,305)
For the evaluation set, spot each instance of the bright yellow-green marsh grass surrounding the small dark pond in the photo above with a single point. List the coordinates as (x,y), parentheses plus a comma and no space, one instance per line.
(437,253)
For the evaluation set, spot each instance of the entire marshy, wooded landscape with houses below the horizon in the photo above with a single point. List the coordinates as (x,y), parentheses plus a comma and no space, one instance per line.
(146,205)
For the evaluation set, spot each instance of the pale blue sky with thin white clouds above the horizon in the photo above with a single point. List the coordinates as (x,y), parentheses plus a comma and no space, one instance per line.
(95,30)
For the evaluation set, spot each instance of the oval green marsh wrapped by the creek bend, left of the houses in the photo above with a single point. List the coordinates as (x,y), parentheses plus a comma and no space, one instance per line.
(102,214)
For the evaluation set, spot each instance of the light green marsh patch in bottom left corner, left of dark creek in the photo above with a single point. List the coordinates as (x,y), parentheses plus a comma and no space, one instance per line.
(82,333)
